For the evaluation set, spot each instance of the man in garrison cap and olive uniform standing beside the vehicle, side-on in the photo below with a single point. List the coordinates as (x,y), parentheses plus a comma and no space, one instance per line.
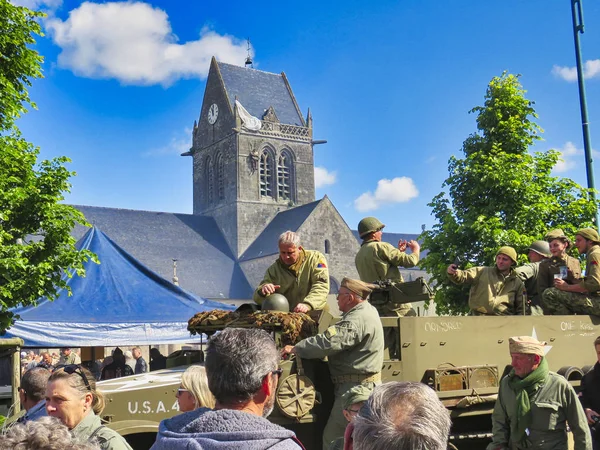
(354,347)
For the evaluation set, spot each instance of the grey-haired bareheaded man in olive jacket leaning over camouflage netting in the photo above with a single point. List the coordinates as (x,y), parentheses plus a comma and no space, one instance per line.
(300,275)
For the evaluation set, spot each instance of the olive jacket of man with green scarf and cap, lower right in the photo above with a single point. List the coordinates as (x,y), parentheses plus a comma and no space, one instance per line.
(554,403)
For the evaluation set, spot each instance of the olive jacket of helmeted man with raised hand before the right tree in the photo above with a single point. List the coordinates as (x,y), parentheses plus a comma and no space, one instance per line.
(491,292)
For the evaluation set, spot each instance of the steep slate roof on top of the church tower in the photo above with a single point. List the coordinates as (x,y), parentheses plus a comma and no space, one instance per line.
(257,90)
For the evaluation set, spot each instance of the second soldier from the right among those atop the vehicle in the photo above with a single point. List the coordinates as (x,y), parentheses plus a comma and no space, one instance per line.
(559,261)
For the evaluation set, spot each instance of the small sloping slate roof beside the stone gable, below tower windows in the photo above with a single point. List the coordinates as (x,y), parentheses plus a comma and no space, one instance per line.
(291,219)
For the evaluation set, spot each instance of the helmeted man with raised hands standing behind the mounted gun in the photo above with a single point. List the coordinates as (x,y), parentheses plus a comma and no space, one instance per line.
(378,261)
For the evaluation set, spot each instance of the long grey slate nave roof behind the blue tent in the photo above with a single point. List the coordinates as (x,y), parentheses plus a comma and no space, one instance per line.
(205,264)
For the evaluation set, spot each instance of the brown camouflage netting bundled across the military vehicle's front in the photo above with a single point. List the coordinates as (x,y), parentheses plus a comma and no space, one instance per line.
(293,326)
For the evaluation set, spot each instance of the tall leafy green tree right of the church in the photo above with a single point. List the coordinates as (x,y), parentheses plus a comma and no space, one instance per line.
(499,193)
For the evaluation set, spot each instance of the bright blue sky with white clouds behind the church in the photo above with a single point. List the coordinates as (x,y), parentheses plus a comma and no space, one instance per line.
(389,84)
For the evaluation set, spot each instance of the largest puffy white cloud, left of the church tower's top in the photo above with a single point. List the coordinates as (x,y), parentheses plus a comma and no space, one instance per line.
(133,43)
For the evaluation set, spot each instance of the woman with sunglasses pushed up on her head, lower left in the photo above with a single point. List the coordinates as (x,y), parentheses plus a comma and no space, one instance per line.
(71,396)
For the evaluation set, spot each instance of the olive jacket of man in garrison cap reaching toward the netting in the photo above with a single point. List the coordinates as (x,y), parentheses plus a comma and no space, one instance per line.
(354,345)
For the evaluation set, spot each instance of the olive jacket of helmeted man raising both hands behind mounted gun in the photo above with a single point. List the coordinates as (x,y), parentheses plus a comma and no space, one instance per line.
(378,261)
